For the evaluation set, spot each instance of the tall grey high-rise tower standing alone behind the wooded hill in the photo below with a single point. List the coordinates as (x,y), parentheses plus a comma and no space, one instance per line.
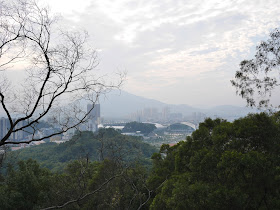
(93,117)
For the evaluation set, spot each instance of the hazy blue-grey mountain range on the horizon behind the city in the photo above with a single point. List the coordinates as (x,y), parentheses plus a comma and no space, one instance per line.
(119,104)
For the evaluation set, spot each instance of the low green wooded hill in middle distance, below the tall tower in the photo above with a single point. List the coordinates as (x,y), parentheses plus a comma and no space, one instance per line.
(106,144)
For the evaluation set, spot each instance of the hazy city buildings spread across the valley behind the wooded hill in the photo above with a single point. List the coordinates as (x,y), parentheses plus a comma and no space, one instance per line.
(174,126)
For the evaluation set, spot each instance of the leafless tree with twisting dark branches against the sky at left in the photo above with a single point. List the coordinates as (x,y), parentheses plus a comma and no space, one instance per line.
(59,65)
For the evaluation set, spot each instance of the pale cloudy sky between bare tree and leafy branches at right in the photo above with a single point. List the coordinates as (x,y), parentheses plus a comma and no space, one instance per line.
(179,52)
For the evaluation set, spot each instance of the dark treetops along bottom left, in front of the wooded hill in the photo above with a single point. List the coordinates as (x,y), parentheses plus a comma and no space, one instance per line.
(83,185)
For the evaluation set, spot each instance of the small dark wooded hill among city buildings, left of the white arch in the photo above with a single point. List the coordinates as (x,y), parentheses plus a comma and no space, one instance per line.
(144,128)
